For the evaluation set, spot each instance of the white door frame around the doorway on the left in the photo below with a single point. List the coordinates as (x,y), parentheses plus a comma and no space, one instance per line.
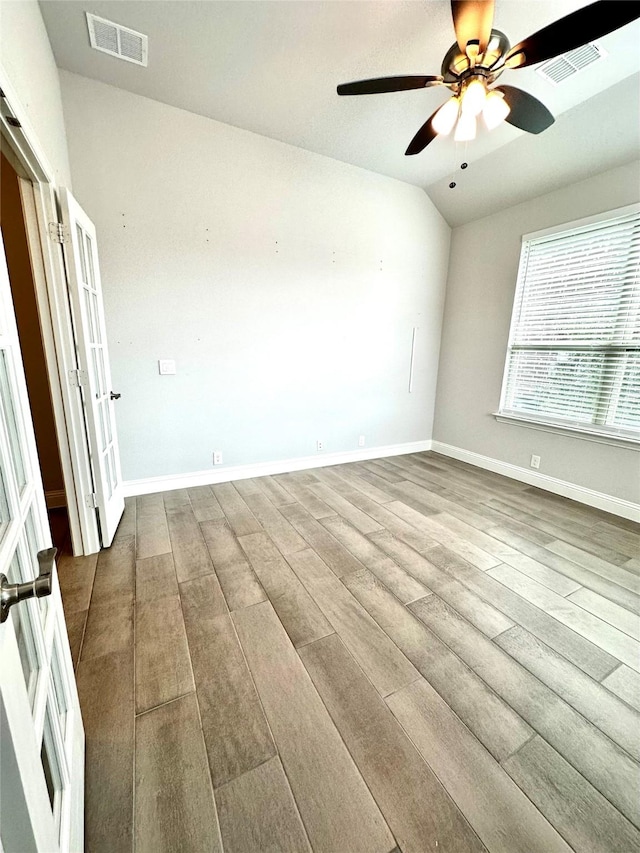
(40,207)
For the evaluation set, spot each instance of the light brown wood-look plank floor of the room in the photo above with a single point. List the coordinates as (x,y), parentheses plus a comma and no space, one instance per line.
(405,655)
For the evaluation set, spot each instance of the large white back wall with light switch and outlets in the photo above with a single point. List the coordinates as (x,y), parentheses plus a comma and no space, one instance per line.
(285,284)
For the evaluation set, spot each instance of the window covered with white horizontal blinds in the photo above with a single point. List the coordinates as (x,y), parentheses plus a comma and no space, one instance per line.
(574,348)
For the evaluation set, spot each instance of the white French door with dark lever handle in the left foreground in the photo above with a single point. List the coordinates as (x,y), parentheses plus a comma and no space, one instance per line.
(41,734)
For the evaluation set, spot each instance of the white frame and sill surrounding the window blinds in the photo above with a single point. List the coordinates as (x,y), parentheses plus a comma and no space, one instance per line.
(546,422)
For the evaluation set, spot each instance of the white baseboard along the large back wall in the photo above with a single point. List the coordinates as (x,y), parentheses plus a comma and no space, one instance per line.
(262,469)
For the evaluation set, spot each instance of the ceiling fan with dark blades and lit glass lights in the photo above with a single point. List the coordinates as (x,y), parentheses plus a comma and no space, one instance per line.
(479,57)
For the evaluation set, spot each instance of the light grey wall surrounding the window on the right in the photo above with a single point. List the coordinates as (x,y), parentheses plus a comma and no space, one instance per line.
(480,290)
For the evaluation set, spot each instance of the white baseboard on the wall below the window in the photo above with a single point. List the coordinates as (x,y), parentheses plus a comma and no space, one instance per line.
(600,500)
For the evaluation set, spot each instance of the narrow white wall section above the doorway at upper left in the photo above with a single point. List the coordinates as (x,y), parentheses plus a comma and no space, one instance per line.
(27,59)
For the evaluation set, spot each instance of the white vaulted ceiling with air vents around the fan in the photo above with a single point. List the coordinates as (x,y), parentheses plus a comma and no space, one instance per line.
(273,67)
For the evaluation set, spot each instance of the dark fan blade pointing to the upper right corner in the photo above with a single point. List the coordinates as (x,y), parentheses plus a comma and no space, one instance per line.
(574,30)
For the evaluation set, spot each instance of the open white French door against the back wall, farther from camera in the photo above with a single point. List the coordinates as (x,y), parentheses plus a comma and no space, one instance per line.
(83,272)
